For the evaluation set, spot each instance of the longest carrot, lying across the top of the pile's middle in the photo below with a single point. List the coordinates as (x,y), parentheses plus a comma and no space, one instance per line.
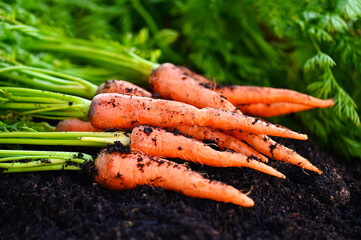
(111,110)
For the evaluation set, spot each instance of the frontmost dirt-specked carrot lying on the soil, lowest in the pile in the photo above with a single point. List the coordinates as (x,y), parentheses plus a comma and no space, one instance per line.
(118,171)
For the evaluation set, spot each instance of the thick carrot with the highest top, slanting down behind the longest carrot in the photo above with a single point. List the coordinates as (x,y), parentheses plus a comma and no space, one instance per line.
(171,83)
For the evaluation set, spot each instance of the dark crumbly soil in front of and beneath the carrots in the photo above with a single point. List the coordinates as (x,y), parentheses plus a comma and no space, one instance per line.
(69,205)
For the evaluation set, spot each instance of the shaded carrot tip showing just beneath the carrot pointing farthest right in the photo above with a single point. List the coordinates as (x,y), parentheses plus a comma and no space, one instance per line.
(272,109)
